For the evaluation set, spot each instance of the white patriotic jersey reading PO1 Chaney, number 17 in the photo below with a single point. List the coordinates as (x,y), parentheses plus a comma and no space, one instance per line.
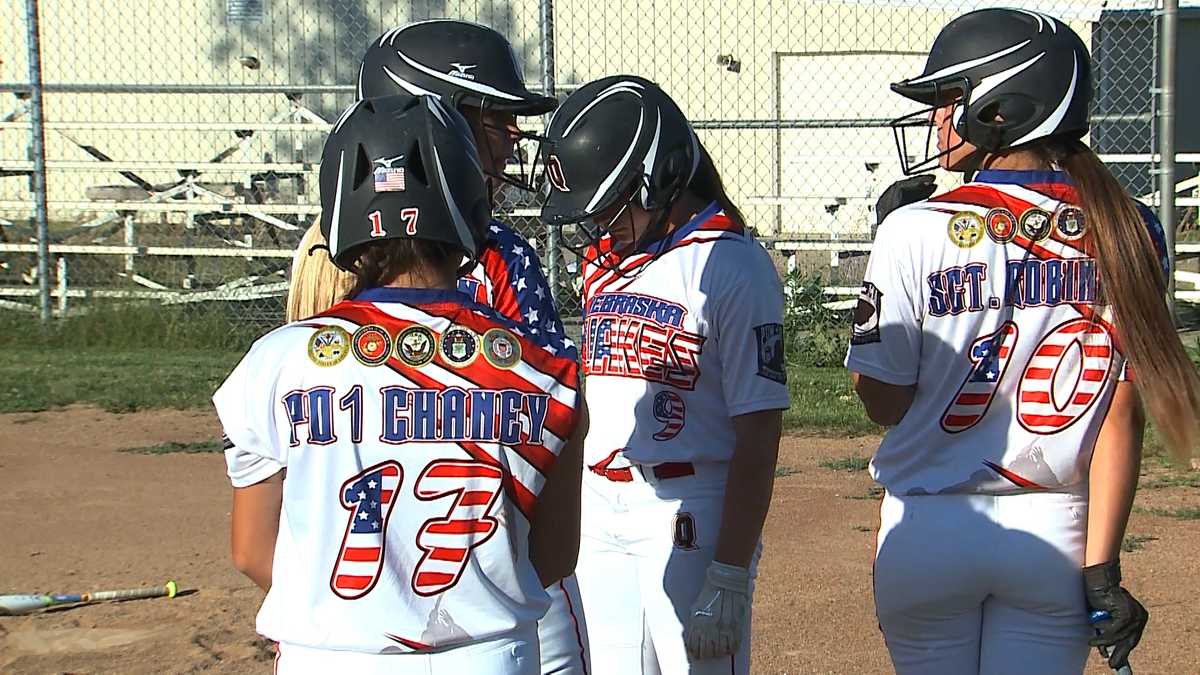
(416,429)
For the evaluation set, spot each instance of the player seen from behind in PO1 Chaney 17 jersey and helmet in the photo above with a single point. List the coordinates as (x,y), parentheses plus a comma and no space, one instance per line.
(406,465)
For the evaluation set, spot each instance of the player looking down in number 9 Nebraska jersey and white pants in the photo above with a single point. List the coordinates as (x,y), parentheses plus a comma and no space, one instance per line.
(683,355)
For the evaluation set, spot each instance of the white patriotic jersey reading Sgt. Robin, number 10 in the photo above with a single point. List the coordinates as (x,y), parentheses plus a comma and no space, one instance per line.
(988,297)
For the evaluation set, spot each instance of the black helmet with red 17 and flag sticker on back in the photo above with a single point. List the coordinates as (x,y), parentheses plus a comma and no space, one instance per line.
(401,168)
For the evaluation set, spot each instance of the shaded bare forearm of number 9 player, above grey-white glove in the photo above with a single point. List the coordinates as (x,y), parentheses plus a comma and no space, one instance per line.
(749,486)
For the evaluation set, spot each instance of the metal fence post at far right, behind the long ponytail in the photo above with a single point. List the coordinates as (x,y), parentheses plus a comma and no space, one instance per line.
(1167,39)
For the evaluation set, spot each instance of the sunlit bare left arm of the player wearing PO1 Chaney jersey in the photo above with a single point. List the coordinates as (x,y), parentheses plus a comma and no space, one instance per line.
(255,528)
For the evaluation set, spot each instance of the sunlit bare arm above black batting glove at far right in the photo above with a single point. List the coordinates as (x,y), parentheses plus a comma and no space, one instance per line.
(1117,463)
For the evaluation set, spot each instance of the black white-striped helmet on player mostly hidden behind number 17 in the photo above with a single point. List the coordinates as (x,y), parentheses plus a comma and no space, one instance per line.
(466,64)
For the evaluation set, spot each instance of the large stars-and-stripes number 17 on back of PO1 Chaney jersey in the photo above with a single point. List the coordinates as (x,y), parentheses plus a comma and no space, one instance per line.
(446,542)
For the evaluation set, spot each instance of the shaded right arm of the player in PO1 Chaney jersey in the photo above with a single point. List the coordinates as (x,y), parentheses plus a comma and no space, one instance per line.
(555,531)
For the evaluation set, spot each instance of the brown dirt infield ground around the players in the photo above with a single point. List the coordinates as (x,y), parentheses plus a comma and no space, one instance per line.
(76,515)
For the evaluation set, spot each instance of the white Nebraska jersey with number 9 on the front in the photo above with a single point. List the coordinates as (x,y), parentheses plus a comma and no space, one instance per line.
(677,341)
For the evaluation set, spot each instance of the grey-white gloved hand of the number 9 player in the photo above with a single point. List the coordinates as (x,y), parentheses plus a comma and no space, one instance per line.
(718,618)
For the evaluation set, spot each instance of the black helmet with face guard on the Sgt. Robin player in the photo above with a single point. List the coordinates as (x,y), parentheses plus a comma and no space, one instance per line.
(1028,68)
